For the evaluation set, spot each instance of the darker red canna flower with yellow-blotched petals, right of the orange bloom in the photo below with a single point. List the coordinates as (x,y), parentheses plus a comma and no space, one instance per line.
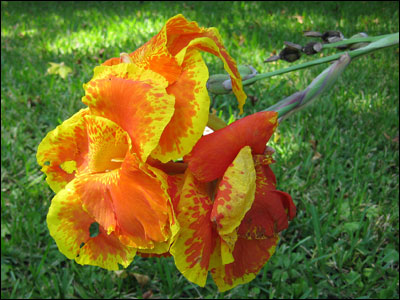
(227,205)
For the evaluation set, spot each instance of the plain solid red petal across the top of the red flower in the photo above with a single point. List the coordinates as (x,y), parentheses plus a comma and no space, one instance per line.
(214,152)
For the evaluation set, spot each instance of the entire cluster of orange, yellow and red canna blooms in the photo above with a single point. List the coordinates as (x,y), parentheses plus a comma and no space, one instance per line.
(133,173)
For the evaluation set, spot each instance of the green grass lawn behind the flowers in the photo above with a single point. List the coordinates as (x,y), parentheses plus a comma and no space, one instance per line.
(339,158)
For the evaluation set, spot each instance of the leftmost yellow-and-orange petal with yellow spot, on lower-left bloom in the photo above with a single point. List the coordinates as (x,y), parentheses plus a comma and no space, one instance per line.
(63,151)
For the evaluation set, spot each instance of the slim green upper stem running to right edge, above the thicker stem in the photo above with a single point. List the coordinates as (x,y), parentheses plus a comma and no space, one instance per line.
(386,41)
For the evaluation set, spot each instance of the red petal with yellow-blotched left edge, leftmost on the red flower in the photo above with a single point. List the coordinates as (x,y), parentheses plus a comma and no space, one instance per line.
(196,239)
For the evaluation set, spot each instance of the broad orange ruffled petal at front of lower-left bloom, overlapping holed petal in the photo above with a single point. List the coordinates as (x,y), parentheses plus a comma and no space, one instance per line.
(131,202)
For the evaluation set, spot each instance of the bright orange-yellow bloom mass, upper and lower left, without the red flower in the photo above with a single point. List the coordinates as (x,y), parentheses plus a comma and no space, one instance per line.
(151,105)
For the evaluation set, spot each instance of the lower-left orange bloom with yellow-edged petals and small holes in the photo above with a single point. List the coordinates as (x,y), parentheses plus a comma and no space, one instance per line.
(99,180)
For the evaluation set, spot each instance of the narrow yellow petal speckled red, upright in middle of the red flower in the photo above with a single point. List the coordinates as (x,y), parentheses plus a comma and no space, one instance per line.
(235,196)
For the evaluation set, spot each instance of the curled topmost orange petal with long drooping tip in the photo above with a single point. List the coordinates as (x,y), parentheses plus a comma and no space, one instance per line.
(166,51)
